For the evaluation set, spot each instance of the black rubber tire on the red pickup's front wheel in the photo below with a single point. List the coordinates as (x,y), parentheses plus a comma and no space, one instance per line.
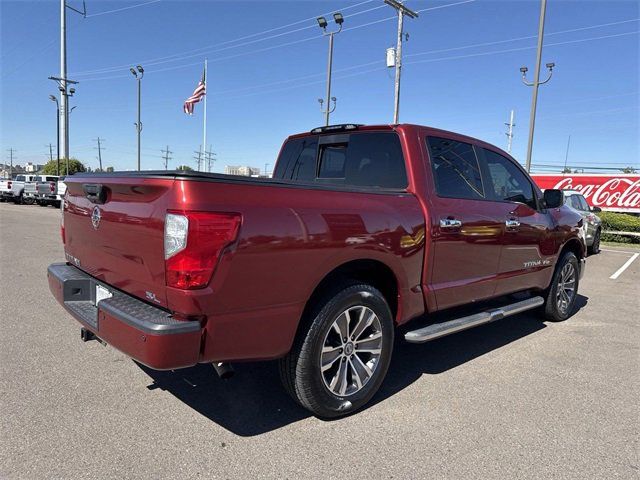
(556,310)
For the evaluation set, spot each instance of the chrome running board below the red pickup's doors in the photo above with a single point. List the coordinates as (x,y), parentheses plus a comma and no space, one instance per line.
(437,330)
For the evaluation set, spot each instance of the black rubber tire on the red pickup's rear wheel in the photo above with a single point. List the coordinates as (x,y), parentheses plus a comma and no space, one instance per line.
(300,370)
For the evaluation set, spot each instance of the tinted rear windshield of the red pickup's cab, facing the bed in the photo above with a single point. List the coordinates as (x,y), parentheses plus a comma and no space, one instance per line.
(368,159)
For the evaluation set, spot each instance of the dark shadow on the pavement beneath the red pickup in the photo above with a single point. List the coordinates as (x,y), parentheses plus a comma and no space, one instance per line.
(254,402)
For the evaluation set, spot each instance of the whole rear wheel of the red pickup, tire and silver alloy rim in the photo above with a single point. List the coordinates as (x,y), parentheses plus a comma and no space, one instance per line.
(339,362)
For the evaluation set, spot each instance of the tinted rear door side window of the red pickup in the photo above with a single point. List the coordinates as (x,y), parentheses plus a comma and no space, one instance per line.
(455,168)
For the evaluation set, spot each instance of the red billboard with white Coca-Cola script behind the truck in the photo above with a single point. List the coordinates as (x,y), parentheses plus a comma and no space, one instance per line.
(616,193)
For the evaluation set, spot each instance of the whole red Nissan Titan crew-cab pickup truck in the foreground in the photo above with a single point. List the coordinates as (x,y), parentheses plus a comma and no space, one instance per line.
(362,229)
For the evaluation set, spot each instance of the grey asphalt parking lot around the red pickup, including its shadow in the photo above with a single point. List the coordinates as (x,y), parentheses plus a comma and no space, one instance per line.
(518,398)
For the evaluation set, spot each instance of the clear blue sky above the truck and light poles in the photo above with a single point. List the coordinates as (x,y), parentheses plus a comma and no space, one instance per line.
(267,68)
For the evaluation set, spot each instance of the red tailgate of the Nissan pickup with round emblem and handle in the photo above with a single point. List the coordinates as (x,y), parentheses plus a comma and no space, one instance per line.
(119,236)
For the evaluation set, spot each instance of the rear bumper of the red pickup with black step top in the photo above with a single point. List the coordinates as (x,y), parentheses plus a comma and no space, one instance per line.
(145,333)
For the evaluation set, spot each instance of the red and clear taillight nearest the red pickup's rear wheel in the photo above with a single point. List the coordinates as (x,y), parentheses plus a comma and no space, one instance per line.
(193,243)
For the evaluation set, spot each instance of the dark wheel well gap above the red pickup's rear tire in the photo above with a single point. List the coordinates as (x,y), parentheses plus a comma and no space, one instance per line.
(371,272)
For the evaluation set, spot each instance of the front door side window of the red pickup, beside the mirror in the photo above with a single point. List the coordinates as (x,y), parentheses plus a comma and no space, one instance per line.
(507,181)
